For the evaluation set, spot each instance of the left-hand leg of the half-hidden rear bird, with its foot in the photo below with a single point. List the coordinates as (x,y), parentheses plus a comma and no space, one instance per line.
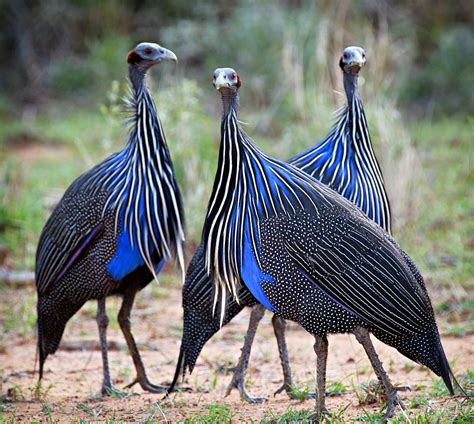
(241,369)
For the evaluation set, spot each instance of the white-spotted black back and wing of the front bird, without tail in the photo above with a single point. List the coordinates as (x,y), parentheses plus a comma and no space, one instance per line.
(334,269)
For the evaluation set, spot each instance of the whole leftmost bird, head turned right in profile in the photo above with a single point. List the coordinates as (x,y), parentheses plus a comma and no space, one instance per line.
(114,228)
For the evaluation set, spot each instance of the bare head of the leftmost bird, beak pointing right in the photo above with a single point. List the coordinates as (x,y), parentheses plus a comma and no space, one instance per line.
(143,57)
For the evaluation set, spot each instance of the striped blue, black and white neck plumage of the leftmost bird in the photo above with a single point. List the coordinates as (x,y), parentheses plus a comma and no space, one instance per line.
(144,192)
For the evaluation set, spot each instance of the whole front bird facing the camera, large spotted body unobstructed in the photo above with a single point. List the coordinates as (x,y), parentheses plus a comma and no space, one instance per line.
(311,256)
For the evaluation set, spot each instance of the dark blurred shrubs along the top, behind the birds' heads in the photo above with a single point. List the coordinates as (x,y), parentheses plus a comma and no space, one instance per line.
(66,48)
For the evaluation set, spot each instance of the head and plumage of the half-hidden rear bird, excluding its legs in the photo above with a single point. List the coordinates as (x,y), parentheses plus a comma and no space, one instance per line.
(344,160)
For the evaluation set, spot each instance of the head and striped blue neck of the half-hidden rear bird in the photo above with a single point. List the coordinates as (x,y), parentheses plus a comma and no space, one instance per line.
(345,160)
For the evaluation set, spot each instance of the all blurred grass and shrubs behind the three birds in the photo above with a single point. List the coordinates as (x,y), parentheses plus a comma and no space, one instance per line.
(63,76)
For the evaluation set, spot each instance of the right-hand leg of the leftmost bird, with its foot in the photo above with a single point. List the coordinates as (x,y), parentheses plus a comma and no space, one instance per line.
(124,321)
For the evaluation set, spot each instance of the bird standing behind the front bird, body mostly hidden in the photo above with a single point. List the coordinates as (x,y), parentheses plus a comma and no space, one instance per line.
(345,161)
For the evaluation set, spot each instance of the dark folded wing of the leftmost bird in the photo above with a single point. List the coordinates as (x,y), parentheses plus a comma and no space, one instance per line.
(73,226)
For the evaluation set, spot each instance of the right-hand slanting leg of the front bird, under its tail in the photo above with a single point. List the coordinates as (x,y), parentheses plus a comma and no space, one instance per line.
(363,337)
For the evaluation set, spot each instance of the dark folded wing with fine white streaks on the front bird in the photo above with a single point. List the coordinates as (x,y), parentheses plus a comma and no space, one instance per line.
(363,270)
